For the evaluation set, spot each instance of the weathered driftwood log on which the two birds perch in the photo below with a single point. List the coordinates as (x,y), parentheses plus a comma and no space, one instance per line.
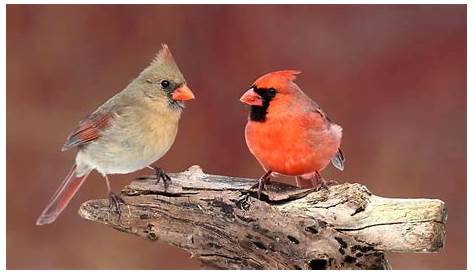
(220,222)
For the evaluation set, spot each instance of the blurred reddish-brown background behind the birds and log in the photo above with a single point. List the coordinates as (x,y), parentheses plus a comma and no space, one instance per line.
(394,76)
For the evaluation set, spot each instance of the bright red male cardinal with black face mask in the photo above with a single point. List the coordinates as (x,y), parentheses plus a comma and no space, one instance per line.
(288,132)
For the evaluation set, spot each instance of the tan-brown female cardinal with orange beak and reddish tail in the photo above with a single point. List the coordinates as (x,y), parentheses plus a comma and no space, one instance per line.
(129,132)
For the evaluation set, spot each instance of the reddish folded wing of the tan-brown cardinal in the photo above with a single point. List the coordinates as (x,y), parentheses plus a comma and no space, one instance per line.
(88,130)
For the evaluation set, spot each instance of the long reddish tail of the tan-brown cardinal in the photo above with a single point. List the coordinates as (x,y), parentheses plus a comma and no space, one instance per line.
(61,197)
